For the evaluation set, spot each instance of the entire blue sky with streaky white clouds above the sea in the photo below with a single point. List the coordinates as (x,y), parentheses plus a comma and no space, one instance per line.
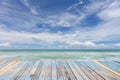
(59,24)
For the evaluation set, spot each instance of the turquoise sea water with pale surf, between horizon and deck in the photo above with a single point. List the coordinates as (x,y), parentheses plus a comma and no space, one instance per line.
(62,54)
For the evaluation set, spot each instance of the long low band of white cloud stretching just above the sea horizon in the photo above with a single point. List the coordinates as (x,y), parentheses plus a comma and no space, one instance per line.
(72,40)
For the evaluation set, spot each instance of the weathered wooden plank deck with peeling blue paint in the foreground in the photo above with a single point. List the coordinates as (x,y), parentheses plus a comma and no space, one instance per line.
(59,70)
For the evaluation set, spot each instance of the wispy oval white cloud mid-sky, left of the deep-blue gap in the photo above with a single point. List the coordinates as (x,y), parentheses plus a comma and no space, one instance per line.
(64,19)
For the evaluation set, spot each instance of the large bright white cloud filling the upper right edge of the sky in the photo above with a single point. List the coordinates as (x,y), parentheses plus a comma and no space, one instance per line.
(109,29)
